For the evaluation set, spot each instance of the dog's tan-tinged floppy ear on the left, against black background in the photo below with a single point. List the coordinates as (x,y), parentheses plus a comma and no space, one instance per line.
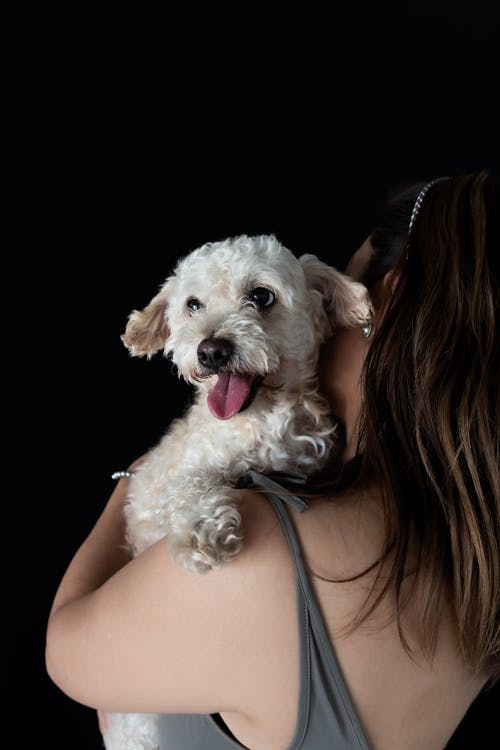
(147,330)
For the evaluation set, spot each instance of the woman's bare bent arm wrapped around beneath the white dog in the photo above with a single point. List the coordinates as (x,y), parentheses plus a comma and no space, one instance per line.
(145,635)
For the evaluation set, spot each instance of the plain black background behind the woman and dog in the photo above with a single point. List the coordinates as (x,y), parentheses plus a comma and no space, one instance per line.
(143,130)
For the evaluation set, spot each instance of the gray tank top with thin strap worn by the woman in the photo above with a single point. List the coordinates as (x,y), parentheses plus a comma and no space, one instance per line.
(326,718)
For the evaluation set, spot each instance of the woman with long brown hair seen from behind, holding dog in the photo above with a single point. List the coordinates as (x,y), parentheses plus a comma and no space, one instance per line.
(391,573)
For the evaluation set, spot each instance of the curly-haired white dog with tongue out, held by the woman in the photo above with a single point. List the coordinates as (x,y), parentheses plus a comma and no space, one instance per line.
(242,320)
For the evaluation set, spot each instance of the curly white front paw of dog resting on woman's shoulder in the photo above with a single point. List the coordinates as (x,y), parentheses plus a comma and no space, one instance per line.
(210,542)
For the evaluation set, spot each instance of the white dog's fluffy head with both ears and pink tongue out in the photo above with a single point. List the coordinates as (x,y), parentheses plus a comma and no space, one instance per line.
(244,316)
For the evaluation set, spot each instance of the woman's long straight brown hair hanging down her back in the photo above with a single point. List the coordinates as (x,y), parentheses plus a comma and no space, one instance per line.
(431,413)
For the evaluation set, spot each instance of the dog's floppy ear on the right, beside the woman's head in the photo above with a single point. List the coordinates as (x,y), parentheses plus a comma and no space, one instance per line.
(345,301)
